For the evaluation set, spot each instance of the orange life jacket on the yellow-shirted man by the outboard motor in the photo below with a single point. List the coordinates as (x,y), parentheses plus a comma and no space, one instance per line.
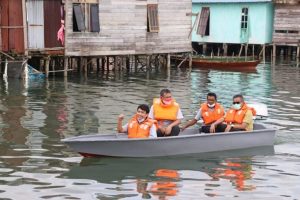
(237,116)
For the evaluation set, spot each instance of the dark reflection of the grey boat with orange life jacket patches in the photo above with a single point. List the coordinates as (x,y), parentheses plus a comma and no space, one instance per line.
(163,172)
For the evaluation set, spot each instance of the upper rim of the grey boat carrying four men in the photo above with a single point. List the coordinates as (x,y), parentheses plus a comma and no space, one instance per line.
(117,139)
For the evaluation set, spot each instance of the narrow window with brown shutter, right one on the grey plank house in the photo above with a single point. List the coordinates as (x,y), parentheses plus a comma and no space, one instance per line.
(152,18)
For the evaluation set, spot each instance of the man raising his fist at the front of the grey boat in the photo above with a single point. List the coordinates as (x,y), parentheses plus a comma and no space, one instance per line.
(139,126)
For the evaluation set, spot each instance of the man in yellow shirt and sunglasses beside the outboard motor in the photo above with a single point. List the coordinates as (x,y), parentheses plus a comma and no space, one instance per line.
(238,118)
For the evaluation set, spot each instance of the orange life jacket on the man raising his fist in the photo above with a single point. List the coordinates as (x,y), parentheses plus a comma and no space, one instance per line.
(139,130)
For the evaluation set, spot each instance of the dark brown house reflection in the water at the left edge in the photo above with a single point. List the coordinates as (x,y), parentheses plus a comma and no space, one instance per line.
(13,110)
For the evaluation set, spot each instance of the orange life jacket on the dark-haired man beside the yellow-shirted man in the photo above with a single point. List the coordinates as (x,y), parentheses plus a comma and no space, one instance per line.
(209,116)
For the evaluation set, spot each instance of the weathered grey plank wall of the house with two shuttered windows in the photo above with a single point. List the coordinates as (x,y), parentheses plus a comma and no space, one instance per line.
(123,29)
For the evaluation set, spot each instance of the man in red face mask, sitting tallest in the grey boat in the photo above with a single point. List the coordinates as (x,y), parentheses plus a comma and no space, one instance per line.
(167,113)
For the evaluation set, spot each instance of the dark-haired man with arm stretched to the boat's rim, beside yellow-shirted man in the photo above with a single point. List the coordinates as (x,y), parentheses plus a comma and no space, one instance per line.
(210,112)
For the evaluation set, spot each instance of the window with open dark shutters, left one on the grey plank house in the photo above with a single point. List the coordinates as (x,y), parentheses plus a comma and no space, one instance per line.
(86,17)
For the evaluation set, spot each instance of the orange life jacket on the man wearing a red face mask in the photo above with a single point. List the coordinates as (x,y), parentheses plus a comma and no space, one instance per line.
(165,112)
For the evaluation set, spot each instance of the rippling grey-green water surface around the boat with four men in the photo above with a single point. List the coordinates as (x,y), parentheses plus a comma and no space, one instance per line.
(36,114)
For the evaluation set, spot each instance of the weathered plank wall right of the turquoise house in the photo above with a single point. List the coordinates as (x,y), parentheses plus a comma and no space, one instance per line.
(286,25)
